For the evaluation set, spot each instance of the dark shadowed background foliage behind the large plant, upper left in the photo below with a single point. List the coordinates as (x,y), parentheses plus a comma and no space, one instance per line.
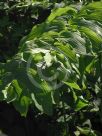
(16,20)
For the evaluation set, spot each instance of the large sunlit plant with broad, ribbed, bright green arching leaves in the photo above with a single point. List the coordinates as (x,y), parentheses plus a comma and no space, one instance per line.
(58,69)
